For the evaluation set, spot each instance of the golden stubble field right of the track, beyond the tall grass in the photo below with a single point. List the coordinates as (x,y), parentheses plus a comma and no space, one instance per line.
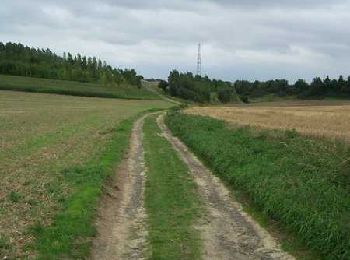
(319,118)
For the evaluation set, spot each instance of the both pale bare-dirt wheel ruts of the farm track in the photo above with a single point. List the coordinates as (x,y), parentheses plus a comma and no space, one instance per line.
(226,231)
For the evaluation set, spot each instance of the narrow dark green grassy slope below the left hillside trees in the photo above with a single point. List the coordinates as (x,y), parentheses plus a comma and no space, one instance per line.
(73,88)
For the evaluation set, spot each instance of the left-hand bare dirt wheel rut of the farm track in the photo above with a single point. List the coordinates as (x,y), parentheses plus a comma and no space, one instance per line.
(121,232)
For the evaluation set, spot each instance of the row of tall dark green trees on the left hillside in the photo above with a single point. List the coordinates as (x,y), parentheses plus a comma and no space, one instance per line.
(19,60)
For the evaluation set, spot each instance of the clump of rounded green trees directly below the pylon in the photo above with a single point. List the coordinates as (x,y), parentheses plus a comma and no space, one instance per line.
(200,89)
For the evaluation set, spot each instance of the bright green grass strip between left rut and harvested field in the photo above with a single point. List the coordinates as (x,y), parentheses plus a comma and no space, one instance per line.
(69,235)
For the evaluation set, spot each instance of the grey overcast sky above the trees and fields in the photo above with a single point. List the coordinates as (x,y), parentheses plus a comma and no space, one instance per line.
(241,39)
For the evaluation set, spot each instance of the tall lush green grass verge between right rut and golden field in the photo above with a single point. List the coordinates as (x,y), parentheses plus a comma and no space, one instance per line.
(301,183)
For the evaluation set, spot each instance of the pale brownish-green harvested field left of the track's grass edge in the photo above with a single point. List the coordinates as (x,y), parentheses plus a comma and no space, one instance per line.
(44,139)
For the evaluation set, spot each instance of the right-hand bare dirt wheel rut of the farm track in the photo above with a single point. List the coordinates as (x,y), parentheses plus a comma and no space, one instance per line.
(226,230)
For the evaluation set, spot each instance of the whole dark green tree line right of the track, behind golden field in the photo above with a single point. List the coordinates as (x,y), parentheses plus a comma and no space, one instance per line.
(205,90)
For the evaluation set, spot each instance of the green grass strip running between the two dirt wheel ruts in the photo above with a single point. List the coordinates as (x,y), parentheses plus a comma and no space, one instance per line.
(170,200)
